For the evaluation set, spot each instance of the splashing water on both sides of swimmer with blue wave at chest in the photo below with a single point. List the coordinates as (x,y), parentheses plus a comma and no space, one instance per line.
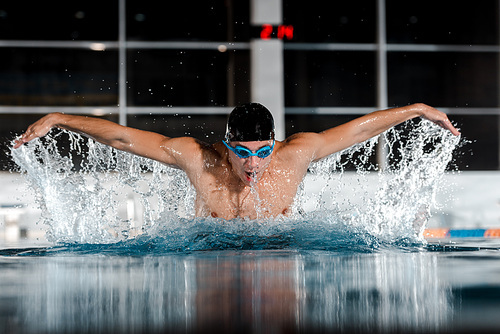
(84,202)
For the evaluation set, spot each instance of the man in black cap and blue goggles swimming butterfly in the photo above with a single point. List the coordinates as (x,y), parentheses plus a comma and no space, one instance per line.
(249,174)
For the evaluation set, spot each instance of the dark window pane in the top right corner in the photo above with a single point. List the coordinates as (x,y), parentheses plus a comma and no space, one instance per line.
(442,22)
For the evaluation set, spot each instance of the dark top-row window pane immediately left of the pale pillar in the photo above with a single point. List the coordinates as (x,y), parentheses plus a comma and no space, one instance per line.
(198,20)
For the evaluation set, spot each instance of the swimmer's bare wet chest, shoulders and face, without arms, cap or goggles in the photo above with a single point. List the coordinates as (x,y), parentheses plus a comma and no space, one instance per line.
(250,187)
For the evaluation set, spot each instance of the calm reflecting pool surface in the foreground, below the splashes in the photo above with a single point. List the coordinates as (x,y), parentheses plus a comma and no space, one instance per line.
(439,287)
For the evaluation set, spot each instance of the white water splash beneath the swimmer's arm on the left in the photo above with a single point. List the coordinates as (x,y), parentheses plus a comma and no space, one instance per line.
(87,202)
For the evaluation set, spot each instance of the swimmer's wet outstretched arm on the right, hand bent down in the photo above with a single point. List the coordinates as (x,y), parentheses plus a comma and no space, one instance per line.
(370,125)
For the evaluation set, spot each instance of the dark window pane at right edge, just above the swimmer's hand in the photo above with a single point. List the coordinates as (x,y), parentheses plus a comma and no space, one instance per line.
(443,79)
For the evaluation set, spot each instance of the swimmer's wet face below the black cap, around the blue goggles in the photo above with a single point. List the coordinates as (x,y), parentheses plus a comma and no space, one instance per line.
(250,169)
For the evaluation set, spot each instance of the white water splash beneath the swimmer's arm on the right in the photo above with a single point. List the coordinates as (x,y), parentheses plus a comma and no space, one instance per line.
(394,204)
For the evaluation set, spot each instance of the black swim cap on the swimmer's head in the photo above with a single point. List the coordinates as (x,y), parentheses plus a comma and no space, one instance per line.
(250,122)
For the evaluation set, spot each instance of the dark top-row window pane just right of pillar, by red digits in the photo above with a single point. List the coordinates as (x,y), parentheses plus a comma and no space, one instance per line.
(331,21)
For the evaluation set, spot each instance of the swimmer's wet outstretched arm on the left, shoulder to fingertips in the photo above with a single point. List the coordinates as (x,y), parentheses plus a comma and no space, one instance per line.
(144,143)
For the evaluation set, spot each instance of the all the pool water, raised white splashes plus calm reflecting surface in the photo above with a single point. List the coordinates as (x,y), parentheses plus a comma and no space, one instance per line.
(356,263)
